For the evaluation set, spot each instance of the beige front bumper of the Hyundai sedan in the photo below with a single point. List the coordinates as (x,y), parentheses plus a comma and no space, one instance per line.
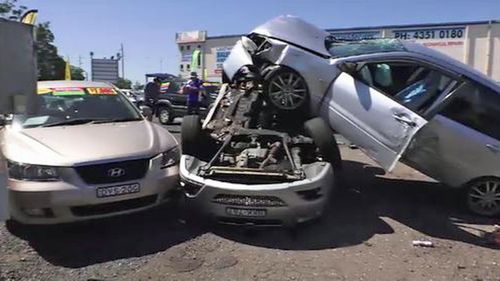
(72,200)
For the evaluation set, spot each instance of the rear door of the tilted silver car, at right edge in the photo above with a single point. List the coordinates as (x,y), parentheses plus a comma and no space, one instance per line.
(462,141)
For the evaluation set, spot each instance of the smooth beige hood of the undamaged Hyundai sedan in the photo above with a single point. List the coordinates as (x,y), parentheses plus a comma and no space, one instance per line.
(86,144)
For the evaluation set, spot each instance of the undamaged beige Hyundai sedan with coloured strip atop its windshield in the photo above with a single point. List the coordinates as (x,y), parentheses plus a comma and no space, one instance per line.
(85,153)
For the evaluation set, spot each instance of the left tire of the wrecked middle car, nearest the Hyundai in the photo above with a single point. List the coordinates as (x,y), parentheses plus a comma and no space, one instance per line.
(191,135)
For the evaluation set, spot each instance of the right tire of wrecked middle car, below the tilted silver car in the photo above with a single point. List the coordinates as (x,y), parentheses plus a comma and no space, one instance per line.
(324,139)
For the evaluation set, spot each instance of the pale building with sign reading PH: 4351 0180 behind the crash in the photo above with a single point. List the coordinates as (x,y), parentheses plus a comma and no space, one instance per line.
(474,43)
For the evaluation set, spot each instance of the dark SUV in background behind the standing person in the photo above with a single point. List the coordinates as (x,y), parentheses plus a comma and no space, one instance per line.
(172,102)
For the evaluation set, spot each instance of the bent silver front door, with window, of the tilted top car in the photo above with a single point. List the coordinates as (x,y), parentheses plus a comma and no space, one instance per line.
(379,105)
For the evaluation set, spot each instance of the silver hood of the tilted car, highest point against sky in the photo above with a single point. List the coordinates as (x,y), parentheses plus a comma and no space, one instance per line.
(294,30)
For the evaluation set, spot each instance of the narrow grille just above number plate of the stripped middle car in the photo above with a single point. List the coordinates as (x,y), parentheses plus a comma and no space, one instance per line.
(249,201)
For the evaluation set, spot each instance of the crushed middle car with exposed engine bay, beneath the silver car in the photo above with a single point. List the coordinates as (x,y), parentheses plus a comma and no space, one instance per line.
(241,168)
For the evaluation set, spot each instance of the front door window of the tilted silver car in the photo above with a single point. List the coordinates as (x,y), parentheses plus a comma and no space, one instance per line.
(412,85)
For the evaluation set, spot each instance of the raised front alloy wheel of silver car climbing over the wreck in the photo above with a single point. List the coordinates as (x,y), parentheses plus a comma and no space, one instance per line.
(285,89)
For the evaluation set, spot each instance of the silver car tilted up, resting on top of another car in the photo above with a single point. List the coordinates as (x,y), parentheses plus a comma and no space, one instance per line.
(395,99)
